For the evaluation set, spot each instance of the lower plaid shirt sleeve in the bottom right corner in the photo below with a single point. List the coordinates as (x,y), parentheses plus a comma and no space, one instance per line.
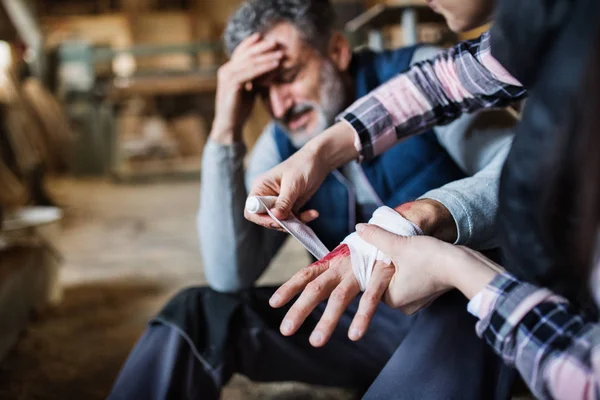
(554,348)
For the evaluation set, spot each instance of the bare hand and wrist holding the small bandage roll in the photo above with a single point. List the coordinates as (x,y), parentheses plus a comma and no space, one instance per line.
(295,180)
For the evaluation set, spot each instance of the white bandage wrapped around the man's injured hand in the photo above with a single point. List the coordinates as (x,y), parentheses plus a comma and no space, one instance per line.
(364,255)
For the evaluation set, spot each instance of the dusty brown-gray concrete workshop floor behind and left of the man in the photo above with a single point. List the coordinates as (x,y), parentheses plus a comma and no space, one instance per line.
(128,249)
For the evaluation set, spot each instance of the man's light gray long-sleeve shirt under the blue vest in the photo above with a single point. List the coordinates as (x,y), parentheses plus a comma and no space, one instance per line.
(236,252)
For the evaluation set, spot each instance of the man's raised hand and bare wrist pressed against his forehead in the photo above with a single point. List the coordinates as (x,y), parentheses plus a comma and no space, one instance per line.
(252,58)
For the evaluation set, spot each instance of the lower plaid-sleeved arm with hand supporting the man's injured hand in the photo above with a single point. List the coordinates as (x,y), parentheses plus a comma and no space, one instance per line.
(555,349)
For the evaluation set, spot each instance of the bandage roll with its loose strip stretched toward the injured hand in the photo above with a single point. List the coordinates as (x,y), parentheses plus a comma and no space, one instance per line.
(301,232)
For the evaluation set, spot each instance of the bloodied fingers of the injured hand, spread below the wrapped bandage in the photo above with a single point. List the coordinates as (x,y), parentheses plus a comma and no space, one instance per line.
(333,278)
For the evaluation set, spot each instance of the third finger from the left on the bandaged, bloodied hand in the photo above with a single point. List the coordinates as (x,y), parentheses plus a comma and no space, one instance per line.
(338,302)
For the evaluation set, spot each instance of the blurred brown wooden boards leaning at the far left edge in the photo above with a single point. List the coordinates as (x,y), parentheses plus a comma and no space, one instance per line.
(34,137)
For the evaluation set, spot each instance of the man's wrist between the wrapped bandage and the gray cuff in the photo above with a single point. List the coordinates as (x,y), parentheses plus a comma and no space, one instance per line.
(432,217)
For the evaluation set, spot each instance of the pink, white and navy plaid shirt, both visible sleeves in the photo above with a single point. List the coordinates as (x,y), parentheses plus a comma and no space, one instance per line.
(552,345)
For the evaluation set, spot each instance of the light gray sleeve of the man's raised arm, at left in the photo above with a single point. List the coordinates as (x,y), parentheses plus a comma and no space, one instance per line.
(235,251)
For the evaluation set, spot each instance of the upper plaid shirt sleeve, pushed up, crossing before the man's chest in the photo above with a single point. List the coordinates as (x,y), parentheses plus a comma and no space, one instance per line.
(465,78)
